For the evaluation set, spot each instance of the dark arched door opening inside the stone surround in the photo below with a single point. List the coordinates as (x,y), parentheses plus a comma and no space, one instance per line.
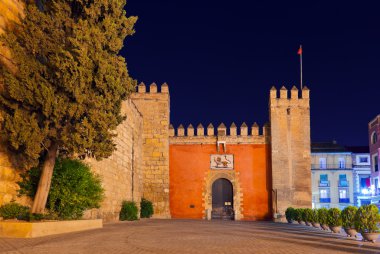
(222,200)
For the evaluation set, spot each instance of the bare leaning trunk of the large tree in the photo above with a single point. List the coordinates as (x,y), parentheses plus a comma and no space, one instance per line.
(43,188)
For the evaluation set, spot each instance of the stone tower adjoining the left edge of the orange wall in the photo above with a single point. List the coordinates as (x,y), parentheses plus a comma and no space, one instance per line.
(155,109)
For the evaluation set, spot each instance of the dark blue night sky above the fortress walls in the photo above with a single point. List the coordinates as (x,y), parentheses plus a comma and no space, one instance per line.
(220,58)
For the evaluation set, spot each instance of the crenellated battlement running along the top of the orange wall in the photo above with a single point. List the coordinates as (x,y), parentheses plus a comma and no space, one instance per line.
(251,135)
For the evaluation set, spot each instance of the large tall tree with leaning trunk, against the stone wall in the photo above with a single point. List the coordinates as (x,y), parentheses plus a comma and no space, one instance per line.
(70,82)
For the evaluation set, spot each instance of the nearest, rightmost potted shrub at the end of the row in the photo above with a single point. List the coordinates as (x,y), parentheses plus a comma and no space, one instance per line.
(366,220)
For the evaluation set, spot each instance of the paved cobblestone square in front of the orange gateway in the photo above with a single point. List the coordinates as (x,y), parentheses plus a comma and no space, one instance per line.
(193,236)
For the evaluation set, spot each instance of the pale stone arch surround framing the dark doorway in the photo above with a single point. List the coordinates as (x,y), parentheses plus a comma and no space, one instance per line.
(233,177)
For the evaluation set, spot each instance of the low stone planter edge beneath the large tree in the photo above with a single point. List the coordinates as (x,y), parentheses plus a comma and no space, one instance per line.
(23,229)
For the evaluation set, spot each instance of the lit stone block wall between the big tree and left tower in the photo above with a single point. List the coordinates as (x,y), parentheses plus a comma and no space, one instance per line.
(121,173)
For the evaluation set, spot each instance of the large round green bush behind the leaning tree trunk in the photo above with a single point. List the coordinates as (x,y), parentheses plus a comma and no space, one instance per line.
(74,188)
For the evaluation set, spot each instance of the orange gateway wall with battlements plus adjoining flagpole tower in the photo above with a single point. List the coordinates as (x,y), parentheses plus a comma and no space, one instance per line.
(243,173)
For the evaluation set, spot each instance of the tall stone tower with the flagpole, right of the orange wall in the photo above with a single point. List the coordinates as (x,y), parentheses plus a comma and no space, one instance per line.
(290,145)
